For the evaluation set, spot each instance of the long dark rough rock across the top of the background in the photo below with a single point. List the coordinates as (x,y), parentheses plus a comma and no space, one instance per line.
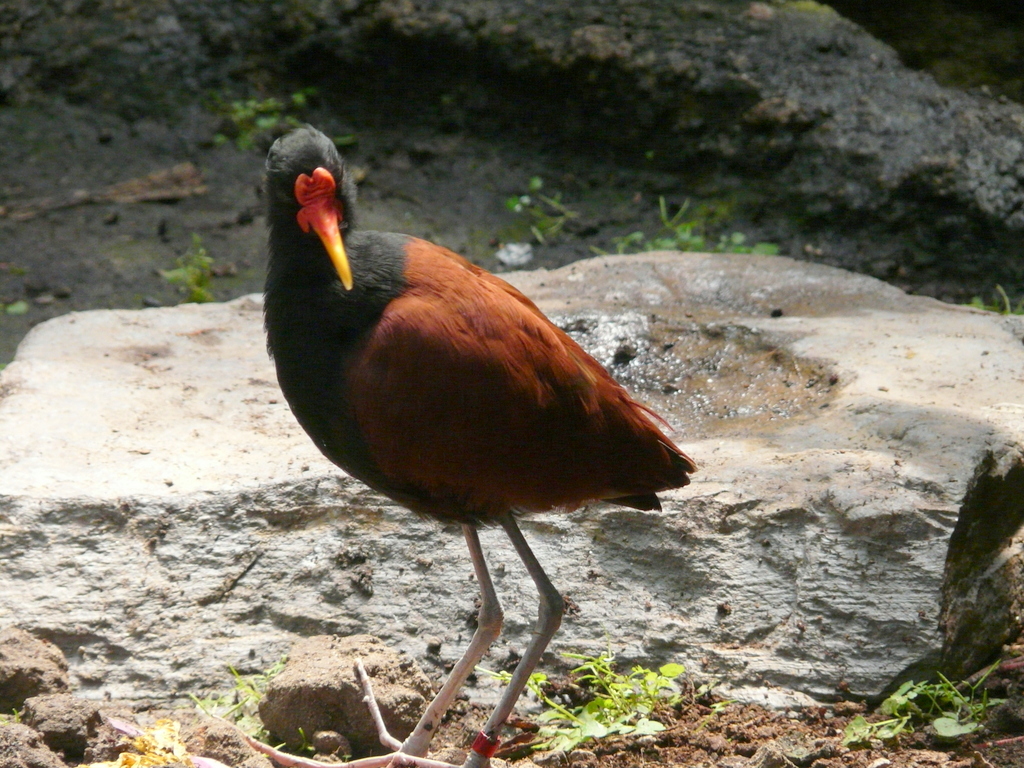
(787,112)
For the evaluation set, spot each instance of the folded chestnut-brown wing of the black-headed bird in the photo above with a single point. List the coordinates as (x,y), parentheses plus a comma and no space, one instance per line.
(474,403)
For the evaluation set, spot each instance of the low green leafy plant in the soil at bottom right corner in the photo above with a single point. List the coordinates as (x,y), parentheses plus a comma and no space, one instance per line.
(952,710)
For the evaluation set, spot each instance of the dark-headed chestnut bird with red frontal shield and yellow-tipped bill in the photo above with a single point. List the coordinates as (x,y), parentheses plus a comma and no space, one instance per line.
(447,390)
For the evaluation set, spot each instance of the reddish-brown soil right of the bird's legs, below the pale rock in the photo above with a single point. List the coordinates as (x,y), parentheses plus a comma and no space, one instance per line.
(705,732)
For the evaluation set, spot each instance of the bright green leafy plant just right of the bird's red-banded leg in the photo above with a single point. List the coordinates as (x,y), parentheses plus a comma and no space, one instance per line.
(621,705)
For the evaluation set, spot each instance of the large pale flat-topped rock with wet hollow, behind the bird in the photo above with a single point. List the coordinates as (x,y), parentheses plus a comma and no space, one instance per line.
(162,517)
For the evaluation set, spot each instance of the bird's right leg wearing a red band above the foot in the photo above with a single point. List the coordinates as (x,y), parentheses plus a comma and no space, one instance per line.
(548,621)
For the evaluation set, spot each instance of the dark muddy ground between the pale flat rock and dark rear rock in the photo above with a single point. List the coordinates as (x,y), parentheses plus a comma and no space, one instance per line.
(452,189)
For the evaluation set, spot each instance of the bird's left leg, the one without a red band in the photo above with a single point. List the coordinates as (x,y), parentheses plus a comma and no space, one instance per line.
(489,627)
